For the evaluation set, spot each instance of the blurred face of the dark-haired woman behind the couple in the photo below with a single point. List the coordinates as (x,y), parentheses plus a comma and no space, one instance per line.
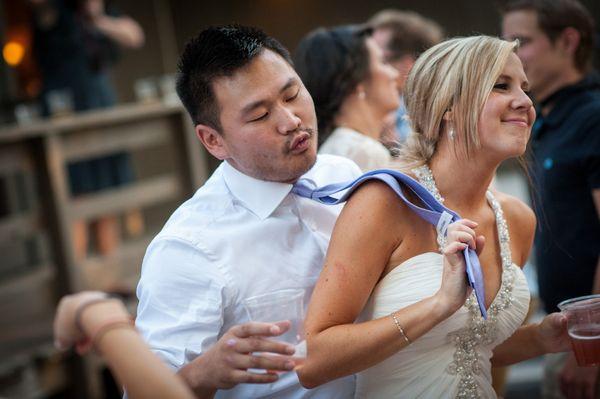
(380,86)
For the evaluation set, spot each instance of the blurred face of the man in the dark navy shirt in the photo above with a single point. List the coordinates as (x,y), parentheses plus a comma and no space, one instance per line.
(542,60)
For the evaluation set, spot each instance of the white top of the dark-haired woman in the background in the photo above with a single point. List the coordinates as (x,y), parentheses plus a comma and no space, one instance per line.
(367,152)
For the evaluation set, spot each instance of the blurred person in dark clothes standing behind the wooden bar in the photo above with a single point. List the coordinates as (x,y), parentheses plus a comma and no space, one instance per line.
(75,43)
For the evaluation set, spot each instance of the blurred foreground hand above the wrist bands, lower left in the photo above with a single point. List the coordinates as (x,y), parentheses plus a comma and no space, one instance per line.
(66,332)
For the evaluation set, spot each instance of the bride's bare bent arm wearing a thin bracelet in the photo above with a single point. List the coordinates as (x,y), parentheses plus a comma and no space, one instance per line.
(368,231)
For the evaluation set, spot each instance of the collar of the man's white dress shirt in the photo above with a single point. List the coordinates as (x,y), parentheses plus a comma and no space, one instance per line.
(259,196)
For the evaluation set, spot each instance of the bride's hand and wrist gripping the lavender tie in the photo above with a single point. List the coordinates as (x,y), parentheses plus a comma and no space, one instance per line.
(454,289)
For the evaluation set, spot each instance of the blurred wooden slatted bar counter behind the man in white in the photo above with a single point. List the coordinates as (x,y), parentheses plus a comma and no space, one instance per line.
(35,160)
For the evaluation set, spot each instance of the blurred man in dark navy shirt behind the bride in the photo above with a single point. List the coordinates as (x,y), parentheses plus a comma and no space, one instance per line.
(556,43)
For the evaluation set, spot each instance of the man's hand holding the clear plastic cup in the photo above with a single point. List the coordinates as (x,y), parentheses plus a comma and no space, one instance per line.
(226,364)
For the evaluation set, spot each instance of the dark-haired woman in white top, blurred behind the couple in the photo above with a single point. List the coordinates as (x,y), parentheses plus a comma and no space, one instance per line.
(353,89)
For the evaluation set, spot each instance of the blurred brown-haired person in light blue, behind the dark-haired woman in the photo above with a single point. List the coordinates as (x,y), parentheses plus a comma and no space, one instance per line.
(403,36)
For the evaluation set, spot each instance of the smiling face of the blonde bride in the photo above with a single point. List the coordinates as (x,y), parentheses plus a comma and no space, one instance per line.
(508,114)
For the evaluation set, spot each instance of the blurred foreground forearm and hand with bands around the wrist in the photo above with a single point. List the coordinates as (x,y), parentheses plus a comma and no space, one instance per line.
(105,321)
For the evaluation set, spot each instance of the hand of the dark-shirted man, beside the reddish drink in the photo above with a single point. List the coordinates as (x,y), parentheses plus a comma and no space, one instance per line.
(578,382)
